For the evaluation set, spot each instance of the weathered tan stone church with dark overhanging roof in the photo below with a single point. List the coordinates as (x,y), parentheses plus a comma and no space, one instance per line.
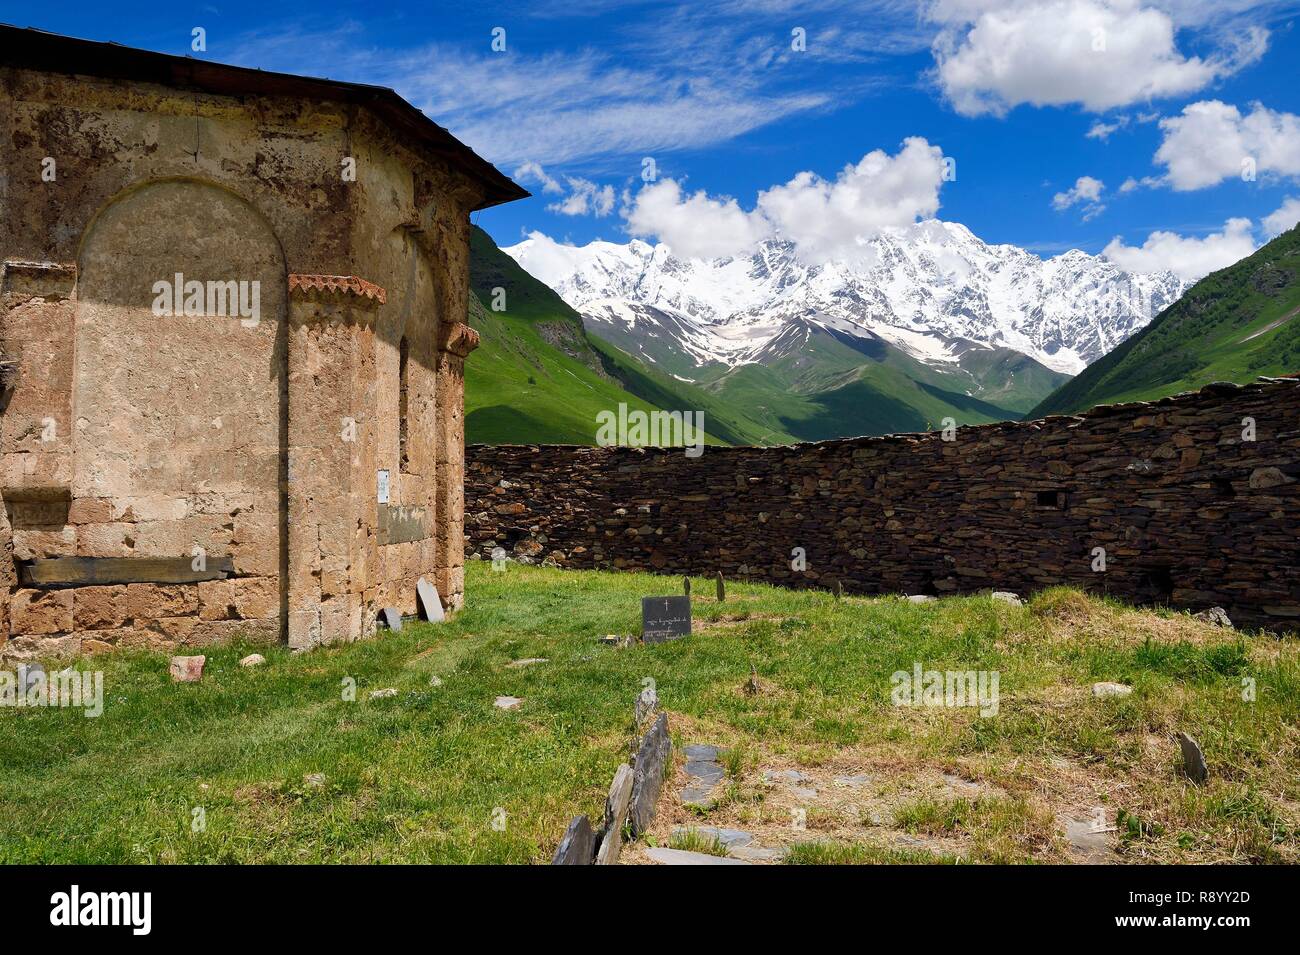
(232,344)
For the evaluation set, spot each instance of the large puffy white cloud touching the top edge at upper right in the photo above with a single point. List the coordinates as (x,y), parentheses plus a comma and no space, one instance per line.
(1098,54)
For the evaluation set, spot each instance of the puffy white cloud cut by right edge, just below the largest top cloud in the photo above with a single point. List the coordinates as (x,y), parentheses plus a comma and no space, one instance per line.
(1214,141)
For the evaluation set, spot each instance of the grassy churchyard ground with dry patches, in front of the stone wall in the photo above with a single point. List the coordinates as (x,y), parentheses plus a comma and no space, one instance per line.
(280,769)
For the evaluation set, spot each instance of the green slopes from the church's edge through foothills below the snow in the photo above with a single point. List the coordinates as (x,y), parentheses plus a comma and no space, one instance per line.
(540,376)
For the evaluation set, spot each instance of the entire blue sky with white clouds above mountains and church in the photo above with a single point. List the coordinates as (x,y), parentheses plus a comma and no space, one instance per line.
(1178,95)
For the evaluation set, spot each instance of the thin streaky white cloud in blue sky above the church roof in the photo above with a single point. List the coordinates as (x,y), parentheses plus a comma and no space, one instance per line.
(691,77)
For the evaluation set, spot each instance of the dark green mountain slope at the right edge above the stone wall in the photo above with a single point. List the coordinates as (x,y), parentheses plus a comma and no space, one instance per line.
(1234,325)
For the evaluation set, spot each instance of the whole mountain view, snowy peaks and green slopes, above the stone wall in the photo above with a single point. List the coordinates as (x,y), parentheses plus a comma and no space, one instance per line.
(930,323)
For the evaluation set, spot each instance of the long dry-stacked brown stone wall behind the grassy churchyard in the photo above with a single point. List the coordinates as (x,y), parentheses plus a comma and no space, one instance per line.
(1190,502)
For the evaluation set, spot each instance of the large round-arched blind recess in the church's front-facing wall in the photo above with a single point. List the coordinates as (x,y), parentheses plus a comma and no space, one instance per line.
(180,389)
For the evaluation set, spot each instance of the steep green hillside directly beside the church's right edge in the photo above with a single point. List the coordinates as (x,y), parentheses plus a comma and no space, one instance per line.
(539,379)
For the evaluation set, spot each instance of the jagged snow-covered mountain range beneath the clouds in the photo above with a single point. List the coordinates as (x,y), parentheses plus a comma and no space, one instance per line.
(933,290)
